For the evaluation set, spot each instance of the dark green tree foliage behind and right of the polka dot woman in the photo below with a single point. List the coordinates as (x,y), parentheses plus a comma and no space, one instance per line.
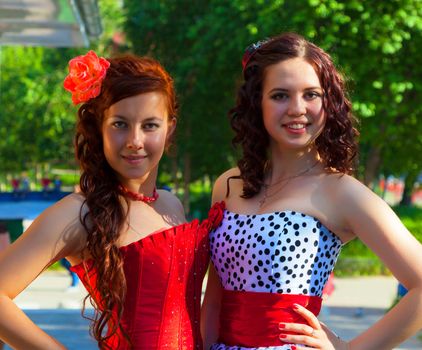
(375,44)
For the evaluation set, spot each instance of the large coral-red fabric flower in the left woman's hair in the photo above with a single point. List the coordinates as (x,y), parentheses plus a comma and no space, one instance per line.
(86,74)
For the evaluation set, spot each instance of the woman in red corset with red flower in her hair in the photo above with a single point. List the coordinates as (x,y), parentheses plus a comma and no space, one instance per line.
(141,262)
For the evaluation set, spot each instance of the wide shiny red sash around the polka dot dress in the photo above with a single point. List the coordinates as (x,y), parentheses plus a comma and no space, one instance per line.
(251,319)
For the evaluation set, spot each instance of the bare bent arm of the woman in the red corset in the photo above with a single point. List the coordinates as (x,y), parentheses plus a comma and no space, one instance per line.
(55,234)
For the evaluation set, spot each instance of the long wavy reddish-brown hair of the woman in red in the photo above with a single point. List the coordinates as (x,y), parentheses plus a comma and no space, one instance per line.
(127,76)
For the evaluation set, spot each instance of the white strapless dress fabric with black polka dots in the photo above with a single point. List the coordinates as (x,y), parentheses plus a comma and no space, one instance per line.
(284,252)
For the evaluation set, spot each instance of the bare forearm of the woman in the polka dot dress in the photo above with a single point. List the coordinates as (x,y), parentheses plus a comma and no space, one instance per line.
(400,323)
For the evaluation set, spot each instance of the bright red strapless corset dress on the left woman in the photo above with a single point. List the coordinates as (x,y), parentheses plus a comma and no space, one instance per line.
(164,273)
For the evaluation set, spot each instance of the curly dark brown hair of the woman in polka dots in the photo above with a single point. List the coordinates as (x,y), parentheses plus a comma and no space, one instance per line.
(336,145)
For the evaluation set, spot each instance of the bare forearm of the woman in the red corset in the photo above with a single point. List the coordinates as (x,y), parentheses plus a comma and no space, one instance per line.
(18,331)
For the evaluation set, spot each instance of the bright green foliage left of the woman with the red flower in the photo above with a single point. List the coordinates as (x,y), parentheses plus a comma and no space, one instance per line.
(37,118)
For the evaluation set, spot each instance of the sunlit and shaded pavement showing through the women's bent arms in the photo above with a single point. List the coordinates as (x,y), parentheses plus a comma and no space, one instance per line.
(355,304)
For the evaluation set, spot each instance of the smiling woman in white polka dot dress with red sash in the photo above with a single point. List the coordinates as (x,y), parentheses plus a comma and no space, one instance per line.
(290,207)
